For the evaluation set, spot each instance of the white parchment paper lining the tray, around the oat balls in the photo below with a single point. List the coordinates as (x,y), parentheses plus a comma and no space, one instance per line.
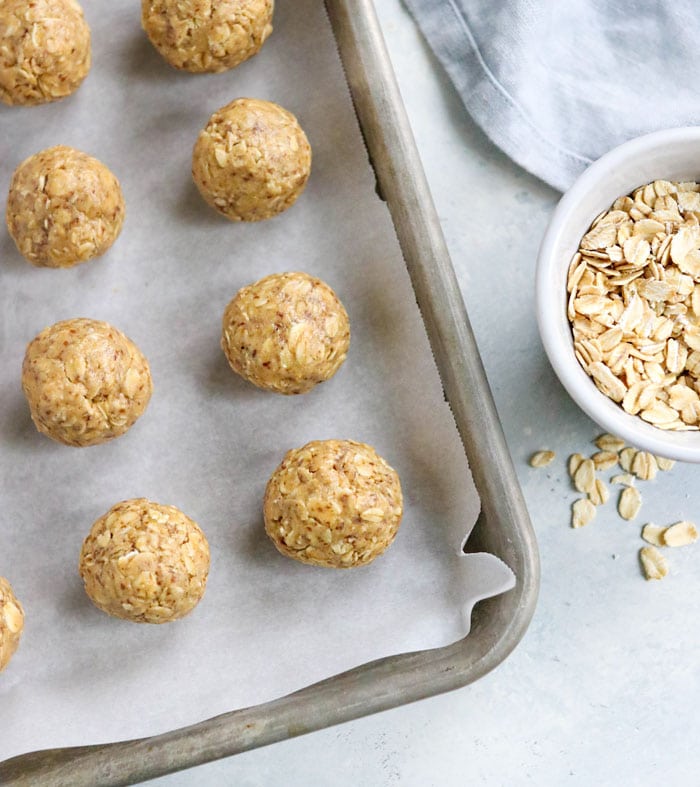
(209,441)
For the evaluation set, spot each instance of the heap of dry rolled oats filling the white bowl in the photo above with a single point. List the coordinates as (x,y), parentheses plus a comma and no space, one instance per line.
(634,304)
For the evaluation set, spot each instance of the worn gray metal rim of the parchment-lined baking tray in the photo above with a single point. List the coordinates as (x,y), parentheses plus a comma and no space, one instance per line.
(503,527)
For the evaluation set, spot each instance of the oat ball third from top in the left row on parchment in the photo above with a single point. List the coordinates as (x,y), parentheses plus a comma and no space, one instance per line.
(85,382)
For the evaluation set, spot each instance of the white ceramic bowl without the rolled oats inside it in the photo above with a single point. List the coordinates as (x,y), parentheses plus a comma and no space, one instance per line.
(664,155)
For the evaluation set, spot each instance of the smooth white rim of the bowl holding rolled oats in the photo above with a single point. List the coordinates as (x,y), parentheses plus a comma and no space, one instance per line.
(684,446)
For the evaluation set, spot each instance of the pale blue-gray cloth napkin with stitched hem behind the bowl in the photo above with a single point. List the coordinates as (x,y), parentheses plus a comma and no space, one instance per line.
(557,83)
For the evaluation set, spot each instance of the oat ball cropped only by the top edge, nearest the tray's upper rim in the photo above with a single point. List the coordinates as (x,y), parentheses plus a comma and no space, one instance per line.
(207,35)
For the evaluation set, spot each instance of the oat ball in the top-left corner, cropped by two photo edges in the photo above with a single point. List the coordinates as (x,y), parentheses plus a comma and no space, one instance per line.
(44,50)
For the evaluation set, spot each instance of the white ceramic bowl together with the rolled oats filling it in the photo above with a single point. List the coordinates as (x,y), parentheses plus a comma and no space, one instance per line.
(618,292)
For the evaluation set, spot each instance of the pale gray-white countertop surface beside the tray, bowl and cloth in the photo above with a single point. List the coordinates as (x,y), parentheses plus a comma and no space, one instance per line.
(605,685)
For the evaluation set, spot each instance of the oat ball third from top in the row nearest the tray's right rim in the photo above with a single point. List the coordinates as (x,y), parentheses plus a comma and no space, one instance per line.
(286,333)
